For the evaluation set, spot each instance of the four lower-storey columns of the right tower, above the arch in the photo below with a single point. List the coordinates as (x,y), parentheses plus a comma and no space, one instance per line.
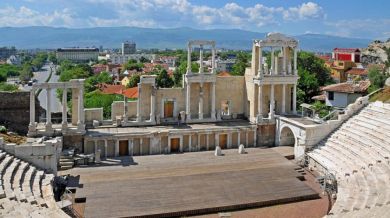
(272,100)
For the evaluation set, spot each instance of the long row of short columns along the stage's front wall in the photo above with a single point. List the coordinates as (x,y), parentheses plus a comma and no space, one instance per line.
(162,149)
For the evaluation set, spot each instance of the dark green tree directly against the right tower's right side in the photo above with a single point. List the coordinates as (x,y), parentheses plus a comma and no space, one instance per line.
(307,86)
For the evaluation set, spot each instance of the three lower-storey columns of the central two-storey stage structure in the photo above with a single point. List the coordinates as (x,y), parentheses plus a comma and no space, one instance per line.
(200,112)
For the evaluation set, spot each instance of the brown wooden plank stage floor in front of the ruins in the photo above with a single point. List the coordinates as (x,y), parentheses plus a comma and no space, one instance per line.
(189,183)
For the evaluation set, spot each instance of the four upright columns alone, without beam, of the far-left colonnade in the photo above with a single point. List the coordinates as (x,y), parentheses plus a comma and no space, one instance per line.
(48,123)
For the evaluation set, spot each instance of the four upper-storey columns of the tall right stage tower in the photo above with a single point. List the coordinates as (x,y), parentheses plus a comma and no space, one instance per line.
(272,70)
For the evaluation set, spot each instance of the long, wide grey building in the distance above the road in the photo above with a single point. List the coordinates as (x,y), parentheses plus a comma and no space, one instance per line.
(77,54)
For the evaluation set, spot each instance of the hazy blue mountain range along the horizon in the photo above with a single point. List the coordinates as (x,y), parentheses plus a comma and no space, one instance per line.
(112,37)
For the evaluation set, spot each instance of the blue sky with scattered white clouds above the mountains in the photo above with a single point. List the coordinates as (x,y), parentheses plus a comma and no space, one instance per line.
(351,18)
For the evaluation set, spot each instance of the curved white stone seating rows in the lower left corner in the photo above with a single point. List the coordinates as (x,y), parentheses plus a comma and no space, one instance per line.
(26,191)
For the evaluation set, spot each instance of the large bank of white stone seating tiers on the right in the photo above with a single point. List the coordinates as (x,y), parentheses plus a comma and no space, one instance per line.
(358,153)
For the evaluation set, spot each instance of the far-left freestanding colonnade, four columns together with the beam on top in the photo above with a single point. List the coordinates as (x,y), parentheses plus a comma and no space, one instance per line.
(77,84)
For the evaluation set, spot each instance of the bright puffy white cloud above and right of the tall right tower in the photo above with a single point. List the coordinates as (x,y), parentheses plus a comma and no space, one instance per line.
(306,11)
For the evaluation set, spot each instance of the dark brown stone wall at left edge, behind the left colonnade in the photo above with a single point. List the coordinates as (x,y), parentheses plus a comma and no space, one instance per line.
(15,111)
